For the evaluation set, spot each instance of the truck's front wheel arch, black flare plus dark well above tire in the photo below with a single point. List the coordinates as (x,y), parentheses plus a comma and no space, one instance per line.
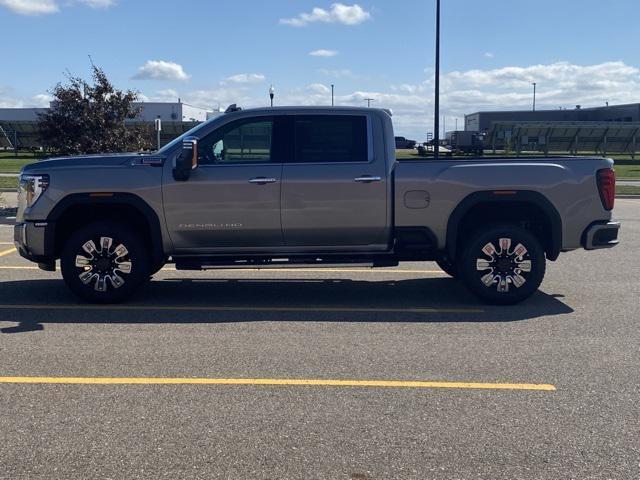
(77,210)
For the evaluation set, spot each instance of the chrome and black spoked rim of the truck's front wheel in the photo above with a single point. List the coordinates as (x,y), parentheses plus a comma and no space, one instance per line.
(103,265)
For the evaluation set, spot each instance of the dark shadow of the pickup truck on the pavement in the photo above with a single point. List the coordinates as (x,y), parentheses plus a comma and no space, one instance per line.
(193,300)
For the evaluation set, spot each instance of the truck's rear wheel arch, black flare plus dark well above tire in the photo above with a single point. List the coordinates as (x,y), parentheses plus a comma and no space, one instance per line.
(527,208)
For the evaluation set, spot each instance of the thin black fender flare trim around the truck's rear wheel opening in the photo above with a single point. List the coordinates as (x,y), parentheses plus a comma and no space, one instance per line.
(510,196)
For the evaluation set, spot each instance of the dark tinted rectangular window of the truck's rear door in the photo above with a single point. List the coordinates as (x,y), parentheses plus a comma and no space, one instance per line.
(330,138)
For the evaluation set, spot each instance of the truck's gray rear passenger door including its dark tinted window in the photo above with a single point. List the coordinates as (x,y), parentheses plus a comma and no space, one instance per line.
(334,190)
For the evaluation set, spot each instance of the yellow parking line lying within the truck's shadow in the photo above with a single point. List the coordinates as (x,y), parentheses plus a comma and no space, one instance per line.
(204,308)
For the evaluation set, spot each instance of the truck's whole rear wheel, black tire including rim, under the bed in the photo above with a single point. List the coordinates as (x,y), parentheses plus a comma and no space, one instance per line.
(503,278)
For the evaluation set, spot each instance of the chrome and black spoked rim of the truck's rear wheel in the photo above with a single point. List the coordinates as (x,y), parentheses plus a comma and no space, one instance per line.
(504,267)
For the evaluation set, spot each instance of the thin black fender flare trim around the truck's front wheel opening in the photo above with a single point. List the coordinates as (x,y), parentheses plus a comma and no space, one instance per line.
(115,198)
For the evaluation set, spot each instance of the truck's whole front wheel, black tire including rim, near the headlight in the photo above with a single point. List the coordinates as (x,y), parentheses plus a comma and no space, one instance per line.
(108,276)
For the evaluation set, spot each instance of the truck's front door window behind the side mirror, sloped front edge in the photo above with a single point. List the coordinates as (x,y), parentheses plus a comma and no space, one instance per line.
(244,141)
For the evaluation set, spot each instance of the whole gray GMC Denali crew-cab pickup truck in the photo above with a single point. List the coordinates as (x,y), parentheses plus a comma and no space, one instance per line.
(315,186)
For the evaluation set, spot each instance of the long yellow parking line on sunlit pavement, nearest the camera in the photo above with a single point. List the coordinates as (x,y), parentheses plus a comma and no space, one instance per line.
(275,382)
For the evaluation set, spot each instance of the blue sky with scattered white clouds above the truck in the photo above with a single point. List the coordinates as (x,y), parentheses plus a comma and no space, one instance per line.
(211,52)
